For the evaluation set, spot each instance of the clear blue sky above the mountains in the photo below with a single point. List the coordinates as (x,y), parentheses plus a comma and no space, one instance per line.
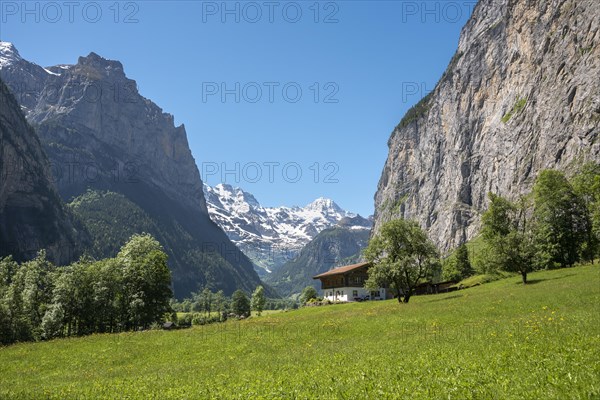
(289,100)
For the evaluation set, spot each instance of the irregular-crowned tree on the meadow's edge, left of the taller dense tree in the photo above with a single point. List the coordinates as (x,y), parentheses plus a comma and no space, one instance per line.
(507,233)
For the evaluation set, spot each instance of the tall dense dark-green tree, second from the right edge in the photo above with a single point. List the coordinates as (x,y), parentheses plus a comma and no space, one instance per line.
(560,220)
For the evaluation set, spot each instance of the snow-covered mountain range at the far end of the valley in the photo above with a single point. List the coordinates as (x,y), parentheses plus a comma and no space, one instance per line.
(270,236)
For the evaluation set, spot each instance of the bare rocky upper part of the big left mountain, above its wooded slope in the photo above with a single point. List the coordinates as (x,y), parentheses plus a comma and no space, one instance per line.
(100,131)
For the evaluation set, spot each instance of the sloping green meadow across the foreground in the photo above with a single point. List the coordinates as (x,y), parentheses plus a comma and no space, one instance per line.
(500,340)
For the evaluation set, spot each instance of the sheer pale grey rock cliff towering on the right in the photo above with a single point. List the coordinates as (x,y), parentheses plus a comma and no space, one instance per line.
(521,94)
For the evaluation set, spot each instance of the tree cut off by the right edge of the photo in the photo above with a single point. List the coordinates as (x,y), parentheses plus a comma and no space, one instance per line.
(586,184)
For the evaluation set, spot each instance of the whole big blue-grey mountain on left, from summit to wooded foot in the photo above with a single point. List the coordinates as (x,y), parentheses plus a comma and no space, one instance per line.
(101,135)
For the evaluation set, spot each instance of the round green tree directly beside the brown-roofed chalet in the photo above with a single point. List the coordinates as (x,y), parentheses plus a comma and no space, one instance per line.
(402,255)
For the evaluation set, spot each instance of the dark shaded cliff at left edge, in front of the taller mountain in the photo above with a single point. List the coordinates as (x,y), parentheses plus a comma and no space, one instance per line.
(32,216)
